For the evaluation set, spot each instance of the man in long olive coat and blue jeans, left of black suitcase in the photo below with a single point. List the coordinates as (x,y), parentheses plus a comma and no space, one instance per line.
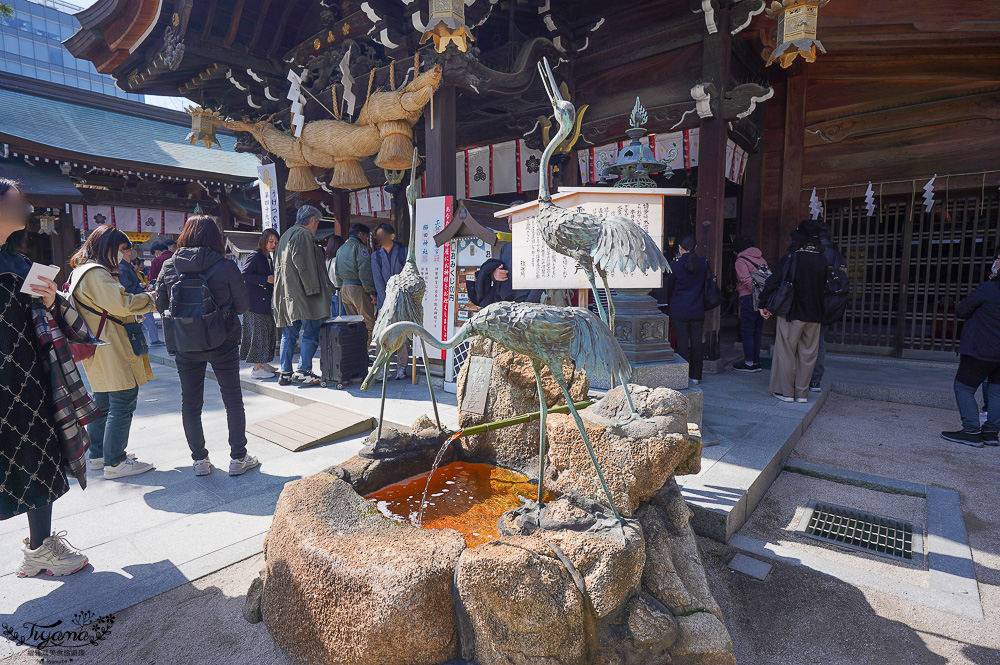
(302,294)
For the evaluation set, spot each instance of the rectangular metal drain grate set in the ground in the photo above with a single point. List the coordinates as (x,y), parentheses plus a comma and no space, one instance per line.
(859,530)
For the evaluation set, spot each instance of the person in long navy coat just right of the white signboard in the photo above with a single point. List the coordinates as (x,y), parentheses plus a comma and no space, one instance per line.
(687,304)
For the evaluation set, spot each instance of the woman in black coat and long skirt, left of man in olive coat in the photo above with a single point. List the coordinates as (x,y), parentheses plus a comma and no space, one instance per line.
(259,333)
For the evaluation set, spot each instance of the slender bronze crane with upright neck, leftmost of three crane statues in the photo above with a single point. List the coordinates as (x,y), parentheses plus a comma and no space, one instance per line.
(404,301)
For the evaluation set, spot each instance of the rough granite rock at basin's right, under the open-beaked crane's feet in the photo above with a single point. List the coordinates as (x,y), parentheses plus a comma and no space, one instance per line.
(636,457)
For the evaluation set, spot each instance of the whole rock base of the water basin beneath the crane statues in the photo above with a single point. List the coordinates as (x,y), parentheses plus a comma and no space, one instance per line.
(346,585)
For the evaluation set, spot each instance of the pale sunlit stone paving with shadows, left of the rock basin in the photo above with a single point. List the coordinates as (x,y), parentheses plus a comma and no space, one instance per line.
(150,533)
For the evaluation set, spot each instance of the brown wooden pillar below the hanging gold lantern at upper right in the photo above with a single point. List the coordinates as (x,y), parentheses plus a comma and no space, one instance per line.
(793,151)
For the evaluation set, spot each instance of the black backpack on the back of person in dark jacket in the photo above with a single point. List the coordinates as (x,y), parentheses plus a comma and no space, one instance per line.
(194,321)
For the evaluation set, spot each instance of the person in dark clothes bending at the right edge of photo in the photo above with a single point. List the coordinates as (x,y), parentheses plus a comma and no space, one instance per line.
(979,361)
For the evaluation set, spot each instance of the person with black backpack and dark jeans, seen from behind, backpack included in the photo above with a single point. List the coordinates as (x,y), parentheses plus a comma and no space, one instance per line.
(200,293)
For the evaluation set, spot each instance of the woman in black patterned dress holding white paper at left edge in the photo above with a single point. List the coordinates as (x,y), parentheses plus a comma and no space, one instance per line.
(31,455)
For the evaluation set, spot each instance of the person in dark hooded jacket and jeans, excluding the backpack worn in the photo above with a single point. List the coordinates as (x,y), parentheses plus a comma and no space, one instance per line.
(200,251)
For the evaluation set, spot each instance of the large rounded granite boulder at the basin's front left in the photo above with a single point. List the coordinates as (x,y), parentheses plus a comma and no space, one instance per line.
(346,585)
